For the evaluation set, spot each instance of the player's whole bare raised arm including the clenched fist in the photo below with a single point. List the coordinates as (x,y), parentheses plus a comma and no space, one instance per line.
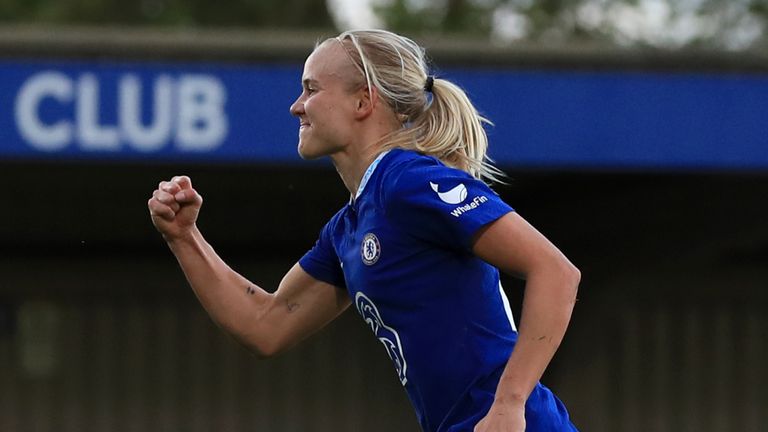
(264,322)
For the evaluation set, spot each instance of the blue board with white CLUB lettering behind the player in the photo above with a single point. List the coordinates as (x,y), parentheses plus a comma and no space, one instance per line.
(225,113)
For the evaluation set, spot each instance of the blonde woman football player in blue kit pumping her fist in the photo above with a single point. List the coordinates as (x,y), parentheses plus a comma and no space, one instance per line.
(416,249)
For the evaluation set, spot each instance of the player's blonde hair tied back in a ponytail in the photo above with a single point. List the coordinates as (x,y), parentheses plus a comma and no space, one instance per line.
(446,126)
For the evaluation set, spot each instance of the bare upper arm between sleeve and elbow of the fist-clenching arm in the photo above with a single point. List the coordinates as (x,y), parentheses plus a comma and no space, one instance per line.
(301,306)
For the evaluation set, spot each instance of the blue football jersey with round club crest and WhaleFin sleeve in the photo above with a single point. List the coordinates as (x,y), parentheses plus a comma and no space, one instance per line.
(402,249)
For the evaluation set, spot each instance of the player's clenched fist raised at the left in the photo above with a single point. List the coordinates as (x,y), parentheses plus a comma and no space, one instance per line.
(174,207)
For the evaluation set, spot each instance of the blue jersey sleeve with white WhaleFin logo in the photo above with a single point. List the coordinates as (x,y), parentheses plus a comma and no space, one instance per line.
(442,205)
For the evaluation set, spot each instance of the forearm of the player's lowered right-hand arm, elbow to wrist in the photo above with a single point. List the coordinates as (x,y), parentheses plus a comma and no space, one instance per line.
(547,307)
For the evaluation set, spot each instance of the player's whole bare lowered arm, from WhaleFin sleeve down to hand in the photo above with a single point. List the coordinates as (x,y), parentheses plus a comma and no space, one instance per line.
(515,247)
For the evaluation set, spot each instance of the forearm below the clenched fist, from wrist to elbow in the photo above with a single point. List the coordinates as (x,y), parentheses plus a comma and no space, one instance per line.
(232,301)
